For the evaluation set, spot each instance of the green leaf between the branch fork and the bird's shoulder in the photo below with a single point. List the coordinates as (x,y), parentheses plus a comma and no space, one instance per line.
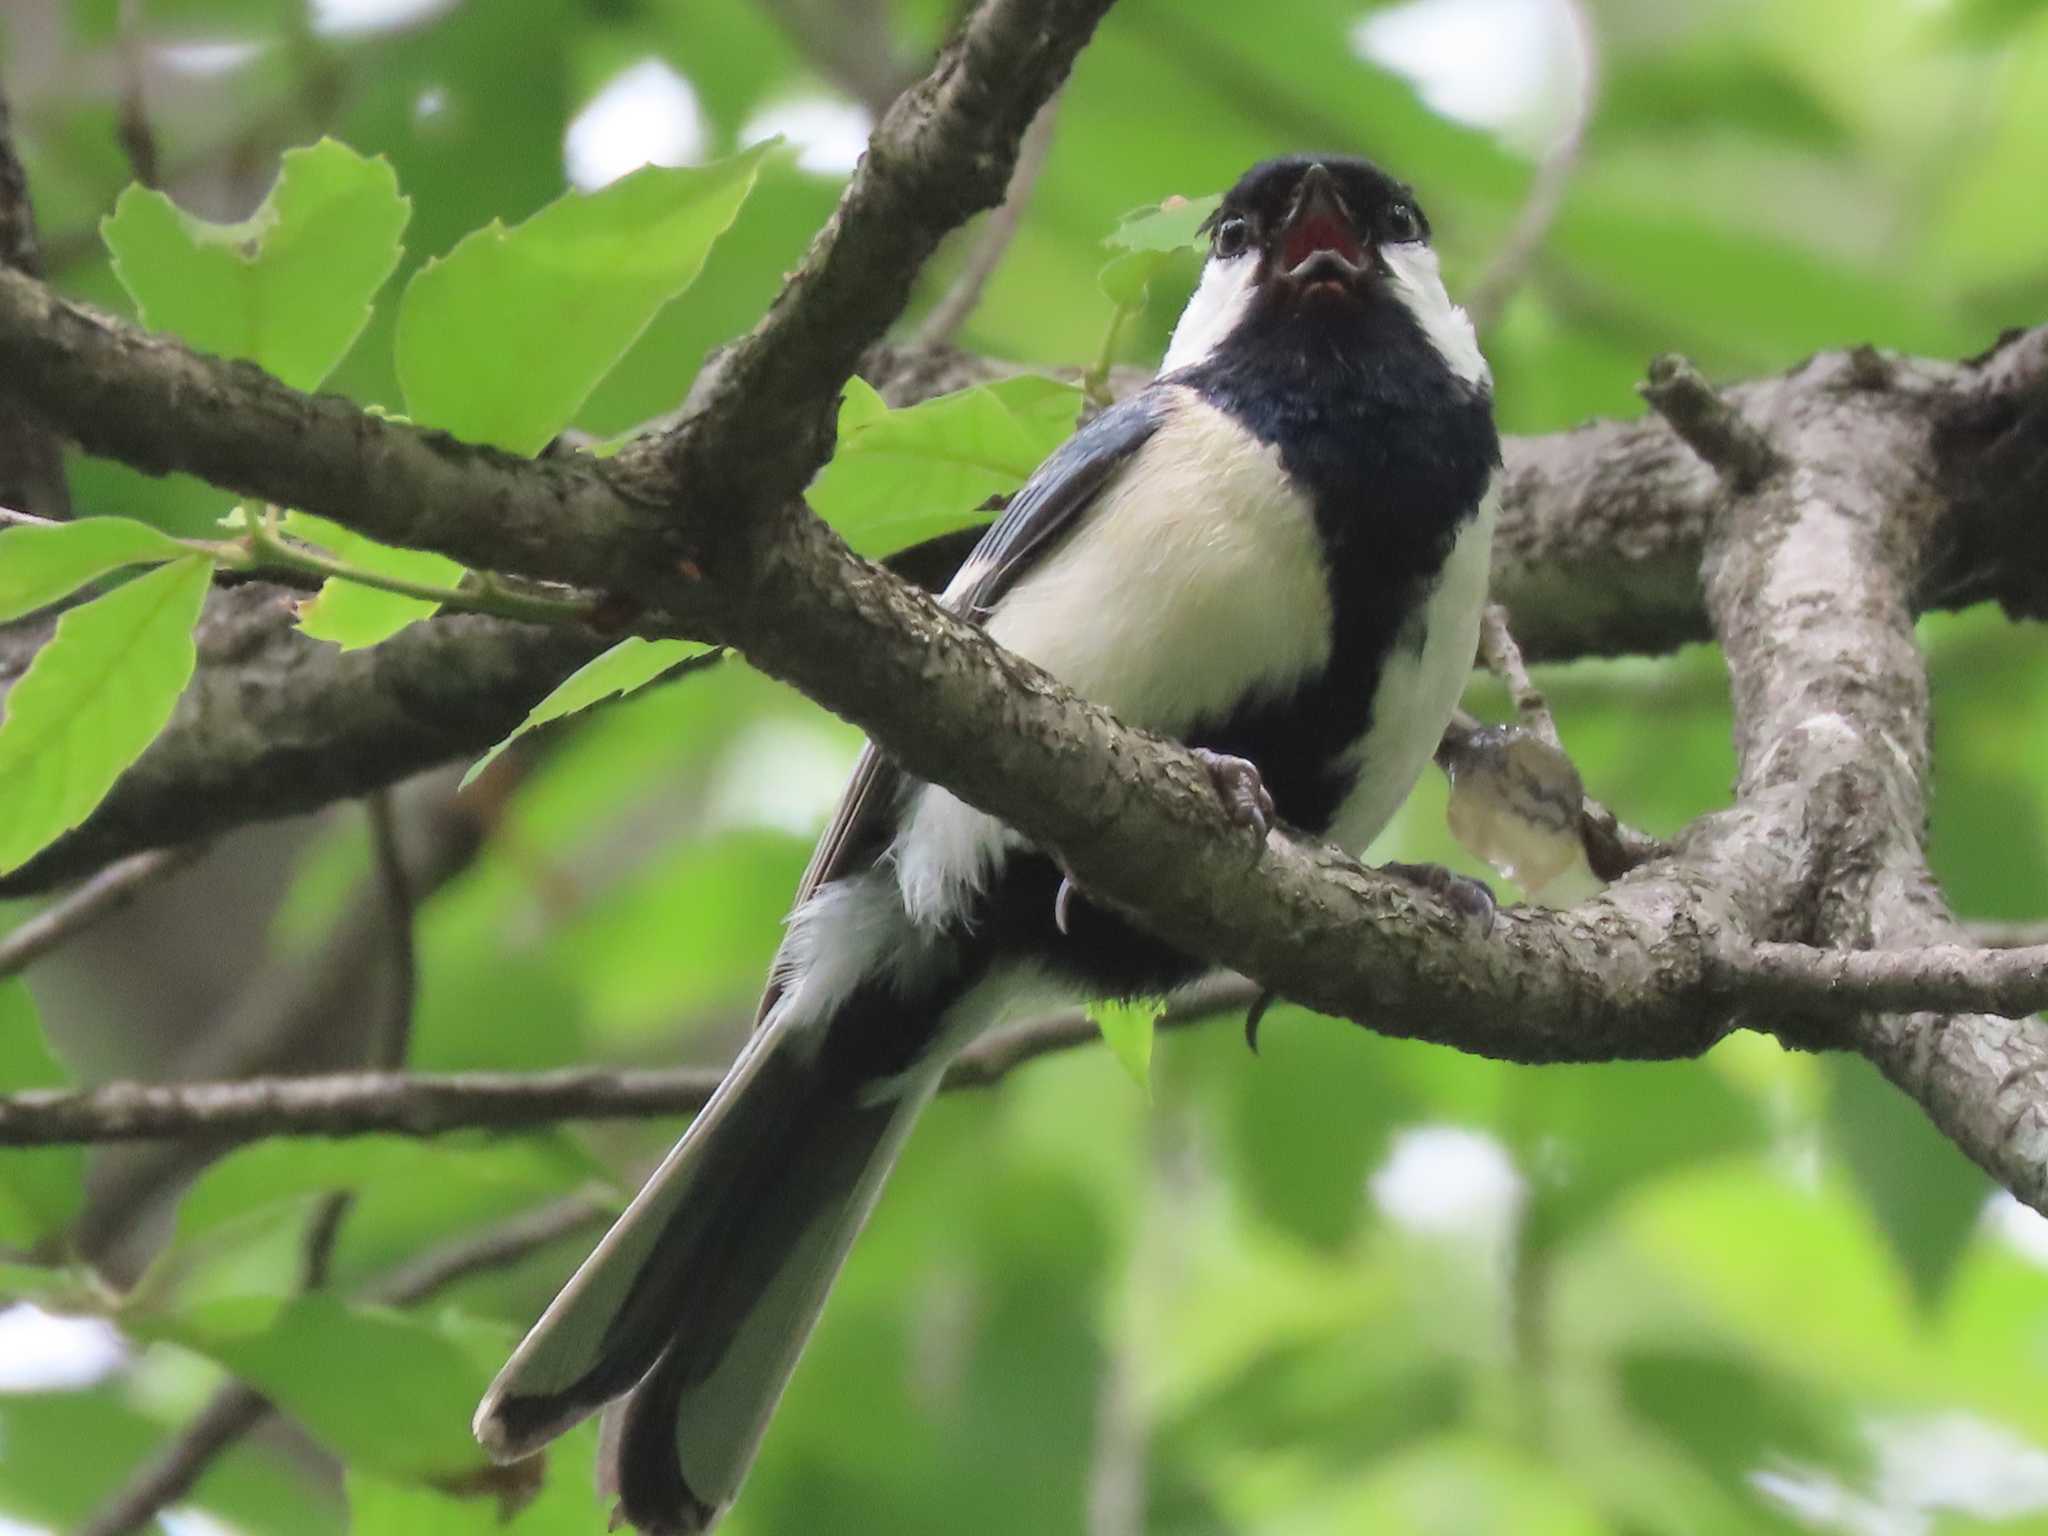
(904,476)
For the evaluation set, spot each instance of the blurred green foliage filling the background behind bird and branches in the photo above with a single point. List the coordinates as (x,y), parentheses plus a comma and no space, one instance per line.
(1351,1285)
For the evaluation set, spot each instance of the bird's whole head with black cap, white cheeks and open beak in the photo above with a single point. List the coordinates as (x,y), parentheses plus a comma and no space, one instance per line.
(1324,257)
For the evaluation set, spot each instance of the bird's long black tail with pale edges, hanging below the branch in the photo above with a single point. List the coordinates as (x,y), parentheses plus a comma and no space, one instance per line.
(703,1293)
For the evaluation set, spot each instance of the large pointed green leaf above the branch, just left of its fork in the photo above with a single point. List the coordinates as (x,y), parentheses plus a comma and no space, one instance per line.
(503,339)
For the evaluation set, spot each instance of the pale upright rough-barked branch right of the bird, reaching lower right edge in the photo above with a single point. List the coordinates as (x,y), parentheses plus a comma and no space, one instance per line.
(1811,583)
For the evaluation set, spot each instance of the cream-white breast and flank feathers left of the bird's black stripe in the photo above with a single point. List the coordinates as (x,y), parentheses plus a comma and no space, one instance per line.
(1197,585)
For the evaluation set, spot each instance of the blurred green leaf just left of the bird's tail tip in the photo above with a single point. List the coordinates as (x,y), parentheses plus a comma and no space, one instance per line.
(386,1392)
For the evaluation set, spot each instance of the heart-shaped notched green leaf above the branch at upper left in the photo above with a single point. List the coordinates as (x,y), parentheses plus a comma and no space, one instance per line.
(292,286)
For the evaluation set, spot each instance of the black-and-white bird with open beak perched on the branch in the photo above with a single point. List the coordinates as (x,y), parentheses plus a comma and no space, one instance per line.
(1273,554)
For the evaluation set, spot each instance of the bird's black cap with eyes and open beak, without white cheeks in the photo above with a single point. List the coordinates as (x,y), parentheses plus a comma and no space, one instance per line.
(1316,224)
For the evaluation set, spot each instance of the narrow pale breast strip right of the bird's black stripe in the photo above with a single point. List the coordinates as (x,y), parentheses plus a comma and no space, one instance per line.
(1420,687)
